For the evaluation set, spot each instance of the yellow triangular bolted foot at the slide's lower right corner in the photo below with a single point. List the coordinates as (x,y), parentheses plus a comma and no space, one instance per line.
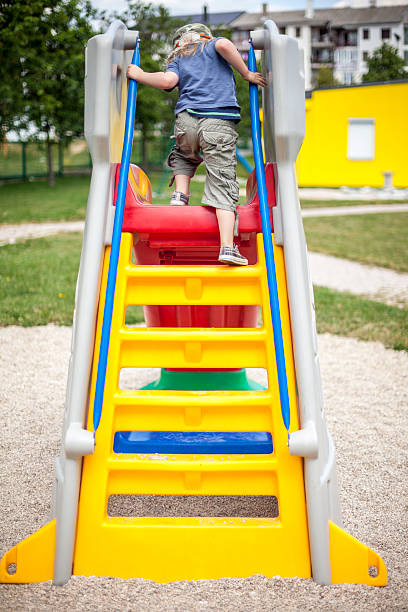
(352,562)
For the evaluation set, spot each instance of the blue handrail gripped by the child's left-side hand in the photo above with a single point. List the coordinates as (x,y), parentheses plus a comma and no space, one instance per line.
(116,237)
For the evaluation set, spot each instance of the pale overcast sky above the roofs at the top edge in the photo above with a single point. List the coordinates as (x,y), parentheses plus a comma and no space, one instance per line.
(181,7)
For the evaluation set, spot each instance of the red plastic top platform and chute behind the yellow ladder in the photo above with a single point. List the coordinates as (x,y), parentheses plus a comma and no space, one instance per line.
(188,235)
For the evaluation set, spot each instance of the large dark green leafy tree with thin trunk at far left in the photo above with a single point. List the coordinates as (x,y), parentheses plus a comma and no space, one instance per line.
(49,41)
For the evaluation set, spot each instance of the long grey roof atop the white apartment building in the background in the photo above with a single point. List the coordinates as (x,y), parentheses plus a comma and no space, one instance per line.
(337,17)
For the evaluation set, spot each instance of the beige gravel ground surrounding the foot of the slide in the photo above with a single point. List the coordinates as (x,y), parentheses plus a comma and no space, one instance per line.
(365,397)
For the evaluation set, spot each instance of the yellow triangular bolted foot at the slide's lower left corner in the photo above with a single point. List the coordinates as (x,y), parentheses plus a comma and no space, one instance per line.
(32,560)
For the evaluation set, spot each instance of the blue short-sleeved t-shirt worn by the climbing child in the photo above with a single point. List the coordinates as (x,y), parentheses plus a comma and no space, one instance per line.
(206,81)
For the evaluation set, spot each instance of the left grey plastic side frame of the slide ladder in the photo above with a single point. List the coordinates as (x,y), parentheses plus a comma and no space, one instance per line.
(107,58)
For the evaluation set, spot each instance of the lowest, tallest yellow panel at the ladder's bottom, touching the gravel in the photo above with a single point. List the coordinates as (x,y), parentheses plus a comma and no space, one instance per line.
(167,550)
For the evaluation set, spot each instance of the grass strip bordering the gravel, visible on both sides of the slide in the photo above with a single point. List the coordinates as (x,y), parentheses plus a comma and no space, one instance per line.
(37,286)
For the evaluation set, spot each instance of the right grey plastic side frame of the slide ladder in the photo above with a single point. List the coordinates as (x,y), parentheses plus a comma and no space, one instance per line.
(284,128)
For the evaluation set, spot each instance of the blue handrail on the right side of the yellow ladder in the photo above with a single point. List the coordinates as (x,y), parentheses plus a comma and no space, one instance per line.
(268,245)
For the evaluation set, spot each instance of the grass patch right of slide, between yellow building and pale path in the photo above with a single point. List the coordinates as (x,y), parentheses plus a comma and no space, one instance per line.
(378,240)
